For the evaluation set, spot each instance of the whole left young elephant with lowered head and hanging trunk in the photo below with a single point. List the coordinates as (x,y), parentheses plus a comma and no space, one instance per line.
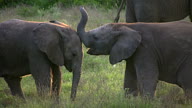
(39,49)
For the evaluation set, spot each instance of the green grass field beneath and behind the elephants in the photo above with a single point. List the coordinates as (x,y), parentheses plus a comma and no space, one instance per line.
(101,84)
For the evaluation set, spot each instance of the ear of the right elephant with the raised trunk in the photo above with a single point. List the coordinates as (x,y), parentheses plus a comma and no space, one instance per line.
(126,44)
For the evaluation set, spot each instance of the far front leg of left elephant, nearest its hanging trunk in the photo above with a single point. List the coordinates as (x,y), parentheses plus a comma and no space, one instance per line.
(56,83)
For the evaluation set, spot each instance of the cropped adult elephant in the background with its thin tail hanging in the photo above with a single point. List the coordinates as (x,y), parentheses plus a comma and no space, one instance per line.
(156,10)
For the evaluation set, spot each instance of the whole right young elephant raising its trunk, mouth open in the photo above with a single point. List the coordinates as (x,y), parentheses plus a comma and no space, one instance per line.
(152,51)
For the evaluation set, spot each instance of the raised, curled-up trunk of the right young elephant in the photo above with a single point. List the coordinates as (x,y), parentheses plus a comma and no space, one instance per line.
(81,27)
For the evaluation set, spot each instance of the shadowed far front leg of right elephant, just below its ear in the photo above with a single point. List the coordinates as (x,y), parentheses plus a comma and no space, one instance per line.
(130,79)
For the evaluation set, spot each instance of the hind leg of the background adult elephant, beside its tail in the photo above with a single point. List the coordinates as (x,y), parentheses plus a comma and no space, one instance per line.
(130,12)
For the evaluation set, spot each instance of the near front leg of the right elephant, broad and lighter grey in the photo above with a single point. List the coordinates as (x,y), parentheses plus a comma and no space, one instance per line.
(147,77)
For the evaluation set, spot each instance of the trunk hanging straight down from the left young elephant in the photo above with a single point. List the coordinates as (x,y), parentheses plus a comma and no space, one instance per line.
(76,78)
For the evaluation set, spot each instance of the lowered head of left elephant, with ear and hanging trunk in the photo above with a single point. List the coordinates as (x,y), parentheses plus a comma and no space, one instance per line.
(62,46)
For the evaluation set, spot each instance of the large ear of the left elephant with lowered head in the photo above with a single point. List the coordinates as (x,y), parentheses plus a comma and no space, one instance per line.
(47,39)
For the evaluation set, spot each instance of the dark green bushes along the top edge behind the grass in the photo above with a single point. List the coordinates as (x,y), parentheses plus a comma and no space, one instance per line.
(45,4)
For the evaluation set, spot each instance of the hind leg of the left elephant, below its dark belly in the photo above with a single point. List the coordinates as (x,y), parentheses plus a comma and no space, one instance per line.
(15,86)
